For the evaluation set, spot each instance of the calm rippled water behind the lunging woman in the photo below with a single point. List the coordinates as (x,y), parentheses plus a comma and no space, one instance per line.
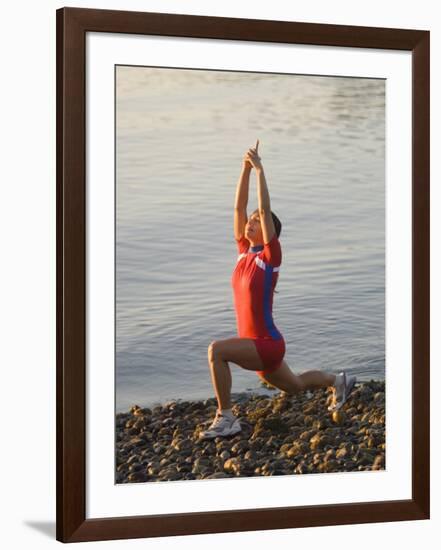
(181,135)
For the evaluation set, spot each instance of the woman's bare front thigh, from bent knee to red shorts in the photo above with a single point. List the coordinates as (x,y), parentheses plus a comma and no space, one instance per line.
(241,351)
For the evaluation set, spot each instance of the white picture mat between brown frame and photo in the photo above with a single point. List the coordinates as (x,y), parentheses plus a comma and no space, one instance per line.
(103,497)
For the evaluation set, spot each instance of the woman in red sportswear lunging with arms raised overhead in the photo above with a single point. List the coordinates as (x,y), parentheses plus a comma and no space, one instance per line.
(260,346)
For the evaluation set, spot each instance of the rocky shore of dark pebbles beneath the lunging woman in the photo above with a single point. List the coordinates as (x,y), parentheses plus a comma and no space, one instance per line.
(281,435)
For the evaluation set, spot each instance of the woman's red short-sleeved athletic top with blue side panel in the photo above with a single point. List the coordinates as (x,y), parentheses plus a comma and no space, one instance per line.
(254,279)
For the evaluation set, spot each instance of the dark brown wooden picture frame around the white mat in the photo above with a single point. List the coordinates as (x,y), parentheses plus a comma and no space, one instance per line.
(72,25)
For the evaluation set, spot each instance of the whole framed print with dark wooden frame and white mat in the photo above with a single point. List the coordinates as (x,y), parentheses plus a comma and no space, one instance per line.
(242,274)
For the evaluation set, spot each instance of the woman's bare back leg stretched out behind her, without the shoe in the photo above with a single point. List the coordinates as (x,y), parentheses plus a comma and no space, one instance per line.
(284,379)
